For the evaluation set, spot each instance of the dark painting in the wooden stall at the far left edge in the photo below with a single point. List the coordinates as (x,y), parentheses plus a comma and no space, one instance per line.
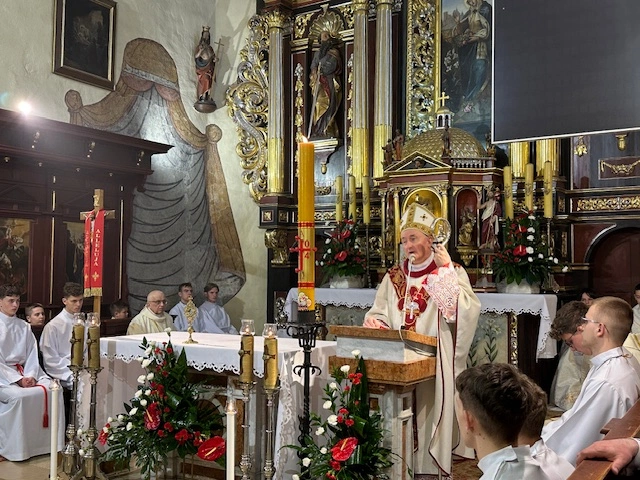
(15,238)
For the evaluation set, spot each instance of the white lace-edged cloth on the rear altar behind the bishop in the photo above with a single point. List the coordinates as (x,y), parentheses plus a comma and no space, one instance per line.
(499,303)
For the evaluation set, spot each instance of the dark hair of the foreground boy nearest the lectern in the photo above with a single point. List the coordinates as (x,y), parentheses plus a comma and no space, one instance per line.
(494,393)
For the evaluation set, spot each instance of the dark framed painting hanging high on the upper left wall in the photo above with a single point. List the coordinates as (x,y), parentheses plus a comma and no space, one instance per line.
(85,41)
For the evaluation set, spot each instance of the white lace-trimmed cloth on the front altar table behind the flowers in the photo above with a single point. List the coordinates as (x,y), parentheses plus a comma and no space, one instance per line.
(219,353)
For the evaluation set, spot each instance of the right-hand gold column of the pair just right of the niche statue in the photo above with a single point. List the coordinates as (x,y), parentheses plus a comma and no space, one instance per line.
(382,132)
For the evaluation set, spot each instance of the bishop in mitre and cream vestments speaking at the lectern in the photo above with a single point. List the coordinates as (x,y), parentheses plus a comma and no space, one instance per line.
(431,295)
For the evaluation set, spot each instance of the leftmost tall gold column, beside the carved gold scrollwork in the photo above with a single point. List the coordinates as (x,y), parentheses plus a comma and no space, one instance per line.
(275,128)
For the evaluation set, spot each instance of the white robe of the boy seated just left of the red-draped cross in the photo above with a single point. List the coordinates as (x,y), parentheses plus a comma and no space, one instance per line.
(55,344)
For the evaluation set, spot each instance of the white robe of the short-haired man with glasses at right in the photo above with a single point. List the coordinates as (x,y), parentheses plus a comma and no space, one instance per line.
(609,391)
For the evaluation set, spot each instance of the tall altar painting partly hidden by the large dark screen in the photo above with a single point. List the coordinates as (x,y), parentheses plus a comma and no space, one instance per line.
(465,63)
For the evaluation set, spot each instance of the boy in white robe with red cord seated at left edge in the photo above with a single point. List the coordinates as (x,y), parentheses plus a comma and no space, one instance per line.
(25,398)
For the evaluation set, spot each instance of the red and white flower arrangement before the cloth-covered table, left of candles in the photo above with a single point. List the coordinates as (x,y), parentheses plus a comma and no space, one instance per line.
(165,415)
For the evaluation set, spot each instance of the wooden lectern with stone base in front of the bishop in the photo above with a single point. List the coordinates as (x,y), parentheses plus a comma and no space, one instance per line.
(396,361)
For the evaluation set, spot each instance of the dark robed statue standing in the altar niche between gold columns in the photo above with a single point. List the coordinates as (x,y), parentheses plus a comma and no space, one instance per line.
(324,80)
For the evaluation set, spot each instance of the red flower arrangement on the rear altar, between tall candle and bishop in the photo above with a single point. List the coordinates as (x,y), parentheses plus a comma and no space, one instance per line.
(342,254)
